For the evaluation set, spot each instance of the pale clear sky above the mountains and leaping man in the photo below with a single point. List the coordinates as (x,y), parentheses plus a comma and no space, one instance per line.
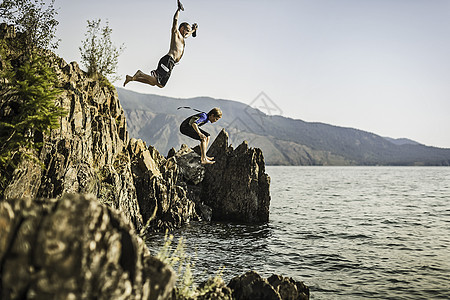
(381,66)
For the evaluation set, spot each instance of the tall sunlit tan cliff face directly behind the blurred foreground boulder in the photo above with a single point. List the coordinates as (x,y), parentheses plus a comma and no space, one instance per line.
(88,153)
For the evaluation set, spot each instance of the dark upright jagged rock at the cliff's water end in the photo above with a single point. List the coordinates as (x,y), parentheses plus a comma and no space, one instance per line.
(236,187)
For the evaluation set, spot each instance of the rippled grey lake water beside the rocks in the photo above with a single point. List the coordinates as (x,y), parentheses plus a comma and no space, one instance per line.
(346,232)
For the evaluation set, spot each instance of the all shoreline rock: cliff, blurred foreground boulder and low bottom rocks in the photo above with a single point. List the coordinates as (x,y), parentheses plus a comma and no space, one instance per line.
(70,219)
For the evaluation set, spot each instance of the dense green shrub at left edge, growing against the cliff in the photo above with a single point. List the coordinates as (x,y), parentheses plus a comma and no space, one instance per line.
(28,110)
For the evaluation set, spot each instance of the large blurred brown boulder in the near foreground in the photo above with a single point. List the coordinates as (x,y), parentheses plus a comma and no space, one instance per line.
(75,248)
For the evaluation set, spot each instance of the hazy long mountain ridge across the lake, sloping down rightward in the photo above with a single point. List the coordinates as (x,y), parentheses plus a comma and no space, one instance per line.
(284,141)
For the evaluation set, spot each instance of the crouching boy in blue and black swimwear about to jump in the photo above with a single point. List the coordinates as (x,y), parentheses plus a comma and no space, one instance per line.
(190,127)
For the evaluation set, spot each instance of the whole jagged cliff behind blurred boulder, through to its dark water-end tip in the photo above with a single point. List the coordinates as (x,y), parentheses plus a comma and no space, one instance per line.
(91,153)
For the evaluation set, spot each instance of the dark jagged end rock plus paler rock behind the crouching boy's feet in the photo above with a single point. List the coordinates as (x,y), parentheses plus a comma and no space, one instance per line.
(235,188)
